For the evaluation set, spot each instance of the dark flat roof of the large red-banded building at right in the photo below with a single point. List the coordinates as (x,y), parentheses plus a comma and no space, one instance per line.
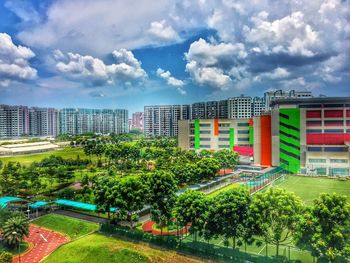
(313,100)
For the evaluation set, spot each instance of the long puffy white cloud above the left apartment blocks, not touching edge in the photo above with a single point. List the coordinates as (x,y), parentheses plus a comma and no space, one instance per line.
(95,72)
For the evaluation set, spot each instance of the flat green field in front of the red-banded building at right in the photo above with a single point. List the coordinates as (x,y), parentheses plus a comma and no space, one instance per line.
(309,188)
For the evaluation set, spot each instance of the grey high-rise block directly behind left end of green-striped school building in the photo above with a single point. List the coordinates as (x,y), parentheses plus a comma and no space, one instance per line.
(163,120)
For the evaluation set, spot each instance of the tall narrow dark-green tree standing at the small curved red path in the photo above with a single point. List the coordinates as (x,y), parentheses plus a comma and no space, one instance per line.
(162,196)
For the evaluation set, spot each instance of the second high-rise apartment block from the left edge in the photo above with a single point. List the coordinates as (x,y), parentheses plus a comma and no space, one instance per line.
(43,121)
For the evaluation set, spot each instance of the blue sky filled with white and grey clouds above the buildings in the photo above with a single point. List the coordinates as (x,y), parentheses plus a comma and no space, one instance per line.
(128,54)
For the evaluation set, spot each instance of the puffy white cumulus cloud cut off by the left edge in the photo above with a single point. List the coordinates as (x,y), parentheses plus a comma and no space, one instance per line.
(14,61)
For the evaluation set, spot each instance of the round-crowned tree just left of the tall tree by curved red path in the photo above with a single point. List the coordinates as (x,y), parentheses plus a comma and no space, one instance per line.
(130,196)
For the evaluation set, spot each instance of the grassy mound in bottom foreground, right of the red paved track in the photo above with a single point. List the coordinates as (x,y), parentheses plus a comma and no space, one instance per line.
(100,248)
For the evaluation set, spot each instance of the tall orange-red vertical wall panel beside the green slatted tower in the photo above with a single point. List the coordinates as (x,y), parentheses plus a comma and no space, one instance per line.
(265,133)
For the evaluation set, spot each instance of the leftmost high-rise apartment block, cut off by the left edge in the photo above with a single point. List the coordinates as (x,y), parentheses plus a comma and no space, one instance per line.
(14,121)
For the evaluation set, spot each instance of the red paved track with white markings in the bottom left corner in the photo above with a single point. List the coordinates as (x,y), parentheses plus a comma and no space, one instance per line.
(42,242)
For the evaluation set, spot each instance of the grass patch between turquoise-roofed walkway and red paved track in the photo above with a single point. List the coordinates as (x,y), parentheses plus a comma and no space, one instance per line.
(73,228)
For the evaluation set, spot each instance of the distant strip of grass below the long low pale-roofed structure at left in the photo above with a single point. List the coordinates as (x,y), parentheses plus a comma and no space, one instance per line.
(27,159)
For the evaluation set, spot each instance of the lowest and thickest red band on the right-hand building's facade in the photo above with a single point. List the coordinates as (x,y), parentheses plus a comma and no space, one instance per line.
(327,138)
